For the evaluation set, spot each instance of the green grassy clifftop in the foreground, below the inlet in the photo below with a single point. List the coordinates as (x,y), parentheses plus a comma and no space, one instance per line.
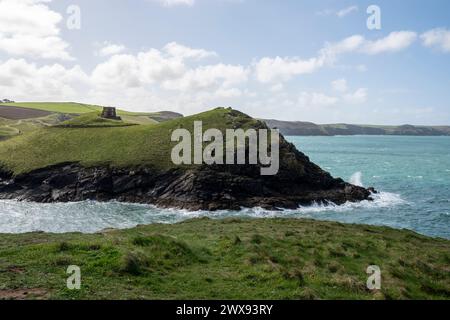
(228,259)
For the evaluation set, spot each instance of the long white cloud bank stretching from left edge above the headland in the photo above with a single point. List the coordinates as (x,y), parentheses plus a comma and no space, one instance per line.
(177,77)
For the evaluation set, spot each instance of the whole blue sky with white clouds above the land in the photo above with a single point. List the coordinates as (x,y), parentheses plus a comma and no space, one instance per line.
(293,60)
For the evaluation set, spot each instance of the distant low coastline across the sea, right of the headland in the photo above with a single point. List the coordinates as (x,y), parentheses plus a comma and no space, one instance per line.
(299,128)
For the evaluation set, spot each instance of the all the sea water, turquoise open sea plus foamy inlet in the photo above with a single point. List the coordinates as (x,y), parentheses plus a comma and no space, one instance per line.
(411,173)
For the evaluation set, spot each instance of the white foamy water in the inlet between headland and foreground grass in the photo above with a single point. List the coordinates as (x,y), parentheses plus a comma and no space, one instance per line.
(91,216)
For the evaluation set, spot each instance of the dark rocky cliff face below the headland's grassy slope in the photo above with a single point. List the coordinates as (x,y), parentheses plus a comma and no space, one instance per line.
(298,182)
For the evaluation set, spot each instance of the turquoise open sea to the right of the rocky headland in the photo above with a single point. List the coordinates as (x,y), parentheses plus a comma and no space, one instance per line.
(413,174)
